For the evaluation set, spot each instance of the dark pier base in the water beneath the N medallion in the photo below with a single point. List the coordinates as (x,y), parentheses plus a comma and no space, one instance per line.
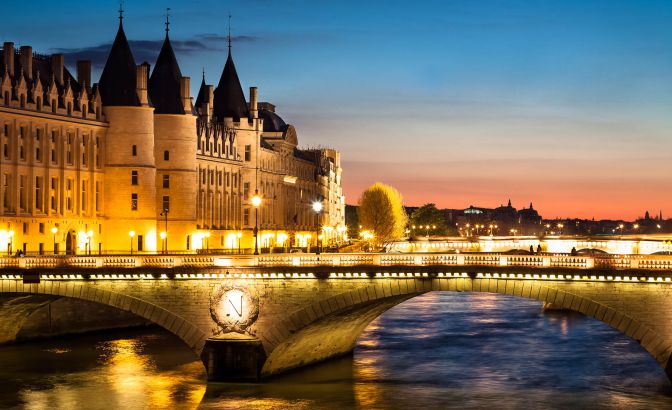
(233,359)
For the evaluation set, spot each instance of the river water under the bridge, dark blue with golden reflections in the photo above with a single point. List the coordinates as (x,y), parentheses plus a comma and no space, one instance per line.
(439,350)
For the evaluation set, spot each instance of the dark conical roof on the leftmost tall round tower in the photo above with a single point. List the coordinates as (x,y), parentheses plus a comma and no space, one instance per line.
(118,81)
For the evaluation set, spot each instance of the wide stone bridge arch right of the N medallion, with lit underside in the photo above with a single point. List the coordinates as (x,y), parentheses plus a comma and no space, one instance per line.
(331,327)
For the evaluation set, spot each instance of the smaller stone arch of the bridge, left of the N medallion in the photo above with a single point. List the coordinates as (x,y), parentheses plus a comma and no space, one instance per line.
(175,324)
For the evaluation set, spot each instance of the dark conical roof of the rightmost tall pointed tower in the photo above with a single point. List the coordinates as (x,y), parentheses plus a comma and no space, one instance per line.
(229,98)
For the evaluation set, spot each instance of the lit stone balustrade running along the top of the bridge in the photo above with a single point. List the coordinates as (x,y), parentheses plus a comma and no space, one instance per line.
(616,262)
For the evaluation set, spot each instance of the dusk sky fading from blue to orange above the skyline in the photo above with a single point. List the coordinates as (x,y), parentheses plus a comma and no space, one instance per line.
(565,104)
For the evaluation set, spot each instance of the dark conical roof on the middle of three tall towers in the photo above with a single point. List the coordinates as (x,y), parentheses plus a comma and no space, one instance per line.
(164,84)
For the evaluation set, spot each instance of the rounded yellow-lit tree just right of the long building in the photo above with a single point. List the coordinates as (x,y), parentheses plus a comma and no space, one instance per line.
(381,213)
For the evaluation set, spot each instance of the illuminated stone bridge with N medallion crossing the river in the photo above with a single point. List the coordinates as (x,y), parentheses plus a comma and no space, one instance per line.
(250,317)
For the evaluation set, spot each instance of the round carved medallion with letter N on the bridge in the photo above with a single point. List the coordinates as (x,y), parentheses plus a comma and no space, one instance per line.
(233,309)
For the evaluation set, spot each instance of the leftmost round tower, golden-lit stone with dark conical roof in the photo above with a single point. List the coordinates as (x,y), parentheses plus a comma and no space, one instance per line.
(130,171)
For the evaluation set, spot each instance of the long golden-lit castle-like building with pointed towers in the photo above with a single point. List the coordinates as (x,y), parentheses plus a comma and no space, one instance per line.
(132,163)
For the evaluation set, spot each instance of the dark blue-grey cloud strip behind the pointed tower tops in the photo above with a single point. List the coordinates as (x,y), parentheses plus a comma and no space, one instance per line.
(148,50)
